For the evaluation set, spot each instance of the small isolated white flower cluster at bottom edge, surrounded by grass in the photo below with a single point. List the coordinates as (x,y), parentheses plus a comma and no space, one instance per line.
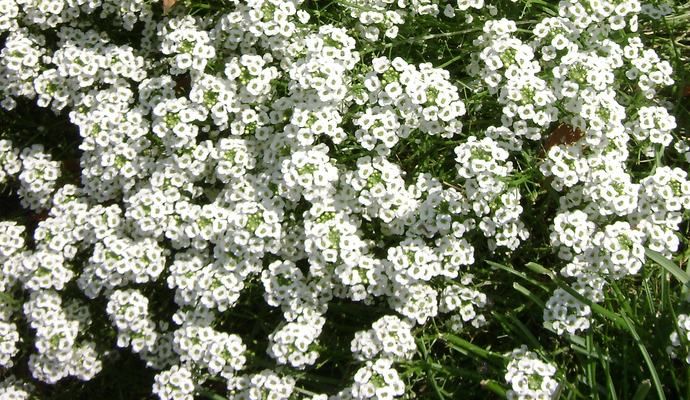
(529,377)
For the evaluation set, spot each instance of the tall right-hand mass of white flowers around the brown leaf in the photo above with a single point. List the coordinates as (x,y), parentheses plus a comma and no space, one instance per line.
(567,74)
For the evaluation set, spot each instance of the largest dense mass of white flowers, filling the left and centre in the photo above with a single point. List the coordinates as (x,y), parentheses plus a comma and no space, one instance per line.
(144,149)
